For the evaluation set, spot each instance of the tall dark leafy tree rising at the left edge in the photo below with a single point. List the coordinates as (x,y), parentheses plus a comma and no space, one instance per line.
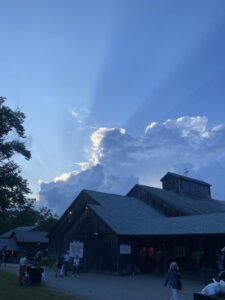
(13,188)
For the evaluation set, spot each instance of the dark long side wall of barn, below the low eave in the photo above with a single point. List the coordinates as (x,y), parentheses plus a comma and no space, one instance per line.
(155,254)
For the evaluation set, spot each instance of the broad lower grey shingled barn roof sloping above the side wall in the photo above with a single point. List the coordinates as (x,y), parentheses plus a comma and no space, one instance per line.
(126,217)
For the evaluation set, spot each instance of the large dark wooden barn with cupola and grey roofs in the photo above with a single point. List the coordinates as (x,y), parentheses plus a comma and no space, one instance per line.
(146,229)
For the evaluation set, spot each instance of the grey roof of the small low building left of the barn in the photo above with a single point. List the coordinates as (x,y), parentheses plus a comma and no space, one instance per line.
(31,236)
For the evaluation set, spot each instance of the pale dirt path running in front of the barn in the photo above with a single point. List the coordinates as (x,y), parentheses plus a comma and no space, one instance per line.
(92,286)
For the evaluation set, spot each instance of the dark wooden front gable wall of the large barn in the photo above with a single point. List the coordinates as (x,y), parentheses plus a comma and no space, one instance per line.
(100,243)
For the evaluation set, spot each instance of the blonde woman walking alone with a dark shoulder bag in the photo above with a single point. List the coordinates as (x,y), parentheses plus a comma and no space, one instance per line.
(172,278)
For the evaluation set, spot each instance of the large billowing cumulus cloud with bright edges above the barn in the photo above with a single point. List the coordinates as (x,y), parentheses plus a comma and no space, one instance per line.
(118,160)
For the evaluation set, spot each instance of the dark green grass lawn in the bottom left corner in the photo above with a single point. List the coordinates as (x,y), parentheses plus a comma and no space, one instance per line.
(10,290)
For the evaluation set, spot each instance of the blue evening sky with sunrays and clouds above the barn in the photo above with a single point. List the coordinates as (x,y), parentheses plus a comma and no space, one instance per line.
(115,92)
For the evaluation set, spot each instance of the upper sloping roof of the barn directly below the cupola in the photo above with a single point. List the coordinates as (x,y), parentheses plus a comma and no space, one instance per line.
(186,205)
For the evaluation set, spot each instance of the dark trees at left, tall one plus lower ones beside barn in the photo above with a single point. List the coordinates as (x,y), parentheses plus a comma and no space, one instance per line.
(16,208)
